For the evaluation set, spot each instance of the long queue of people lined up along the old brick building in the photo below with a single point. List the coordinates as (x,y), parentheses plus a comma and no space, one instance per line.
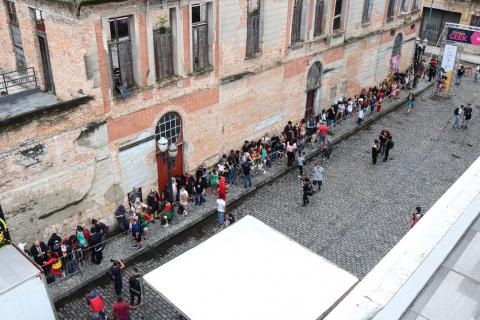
(62,256)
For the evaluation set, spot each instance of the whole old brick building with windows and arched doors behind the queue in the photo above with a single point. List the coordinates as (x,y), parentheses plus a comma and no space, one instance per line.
(207,75)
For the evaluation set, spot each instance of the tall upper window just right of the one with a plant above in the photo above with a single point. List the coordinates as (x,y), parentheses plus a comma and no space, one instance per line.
(200,37)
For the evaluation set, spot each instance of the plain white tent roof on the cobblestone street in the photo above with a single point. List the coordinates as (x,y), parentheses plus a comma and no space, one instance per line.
(250,271)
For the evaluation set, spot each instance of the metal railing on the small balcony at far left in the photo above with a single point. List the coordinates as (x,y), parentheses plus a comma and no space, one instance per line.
(14,81)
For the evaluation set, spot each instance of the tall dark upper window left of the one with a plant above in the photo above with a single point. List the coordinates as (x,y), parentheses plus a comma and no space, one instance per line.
(120,49)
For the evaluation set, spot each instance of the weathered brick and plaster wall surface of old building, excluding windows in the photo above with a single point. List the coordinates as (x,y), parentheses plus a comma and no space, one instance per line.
(76,176)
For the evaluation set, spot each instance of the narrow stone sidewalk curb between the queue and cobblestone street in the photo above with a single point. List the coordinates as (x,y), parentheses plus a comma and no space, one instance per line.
(234,199)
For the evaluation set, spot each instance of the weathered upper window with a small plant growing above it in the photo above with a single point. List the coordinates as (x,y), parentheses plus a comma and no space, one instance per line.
(162,40)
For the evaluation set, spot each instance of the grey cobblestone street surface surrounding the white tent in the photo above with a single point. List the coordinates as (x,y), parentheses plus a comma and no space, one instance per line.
(362,210)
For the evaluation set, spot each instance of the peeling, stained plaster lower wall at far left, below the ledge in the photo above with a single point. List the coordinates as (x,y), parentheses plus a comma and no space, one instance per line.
(59,183)
